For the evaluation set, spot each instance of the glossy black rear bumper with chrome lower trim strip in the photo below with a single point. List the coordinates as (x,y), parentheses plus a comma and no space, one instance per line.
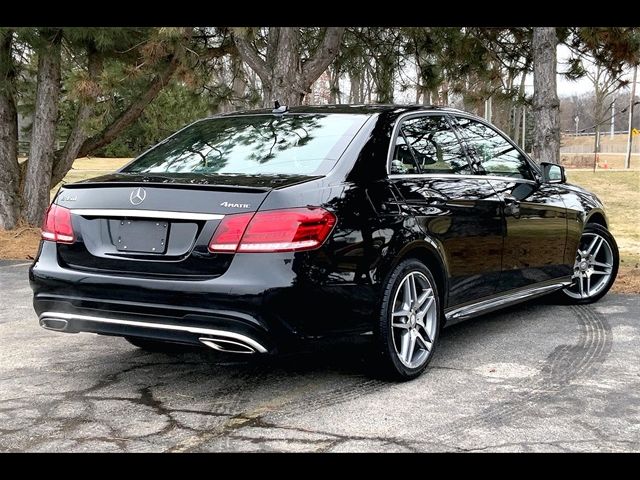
(261,301)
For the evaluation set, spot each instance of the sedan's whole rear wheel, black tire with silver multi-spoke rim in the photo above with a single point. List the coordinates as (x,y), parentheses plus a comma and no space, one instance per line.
(393,356)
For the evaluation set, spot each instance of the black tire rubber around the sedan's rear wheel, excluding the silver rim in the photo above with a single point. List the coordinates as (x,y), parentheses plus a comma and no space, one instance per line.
(391,365)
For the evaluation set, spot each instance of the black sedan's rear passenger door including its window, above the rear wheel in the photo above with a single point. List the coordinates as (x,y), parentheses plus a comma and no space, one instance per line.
(456,209)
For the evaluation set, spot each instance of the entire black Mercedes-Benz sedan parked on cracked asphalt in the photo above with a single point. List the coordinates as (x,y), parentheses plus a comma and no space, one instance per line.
(253,232)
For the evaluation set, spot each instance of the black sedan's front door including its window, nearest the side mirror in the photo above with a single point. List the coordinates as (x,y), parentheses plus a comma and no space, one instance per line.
(535,217)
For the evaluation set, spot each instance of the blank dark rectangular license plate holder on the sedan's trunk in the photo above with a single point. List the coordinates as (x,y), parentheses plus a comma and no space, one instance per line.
(141,236)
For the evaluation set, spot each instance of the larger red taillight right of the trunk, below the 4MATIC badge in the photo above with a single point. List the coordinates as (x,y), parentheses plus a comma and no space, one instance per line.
(287,230)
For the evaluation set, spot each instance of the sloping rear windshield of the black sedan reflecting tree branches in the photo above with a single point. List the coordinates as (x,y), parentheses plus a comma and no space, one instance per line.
(308,144)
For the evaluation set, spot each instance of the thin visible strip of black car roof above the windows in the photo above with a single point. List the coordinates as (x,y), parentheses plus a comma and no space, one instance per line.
(371,109)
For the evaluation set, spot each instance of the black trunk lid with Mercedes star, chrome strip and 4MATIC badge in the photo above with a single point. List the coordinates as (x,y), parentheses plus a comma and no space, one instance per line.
(158,225)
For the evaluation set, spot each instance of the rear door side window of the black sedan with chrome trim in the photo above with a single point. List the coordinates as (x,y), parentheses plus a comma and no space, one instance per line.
(433,146)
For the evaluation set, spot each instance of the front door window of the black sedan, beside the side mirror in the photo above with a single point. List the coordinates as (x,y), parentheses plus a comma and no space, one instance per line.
(494,153)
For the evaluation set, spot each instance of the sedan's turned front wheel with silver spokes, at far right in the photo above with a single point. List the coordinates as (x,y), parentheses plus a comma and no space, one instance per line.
(607,258)
